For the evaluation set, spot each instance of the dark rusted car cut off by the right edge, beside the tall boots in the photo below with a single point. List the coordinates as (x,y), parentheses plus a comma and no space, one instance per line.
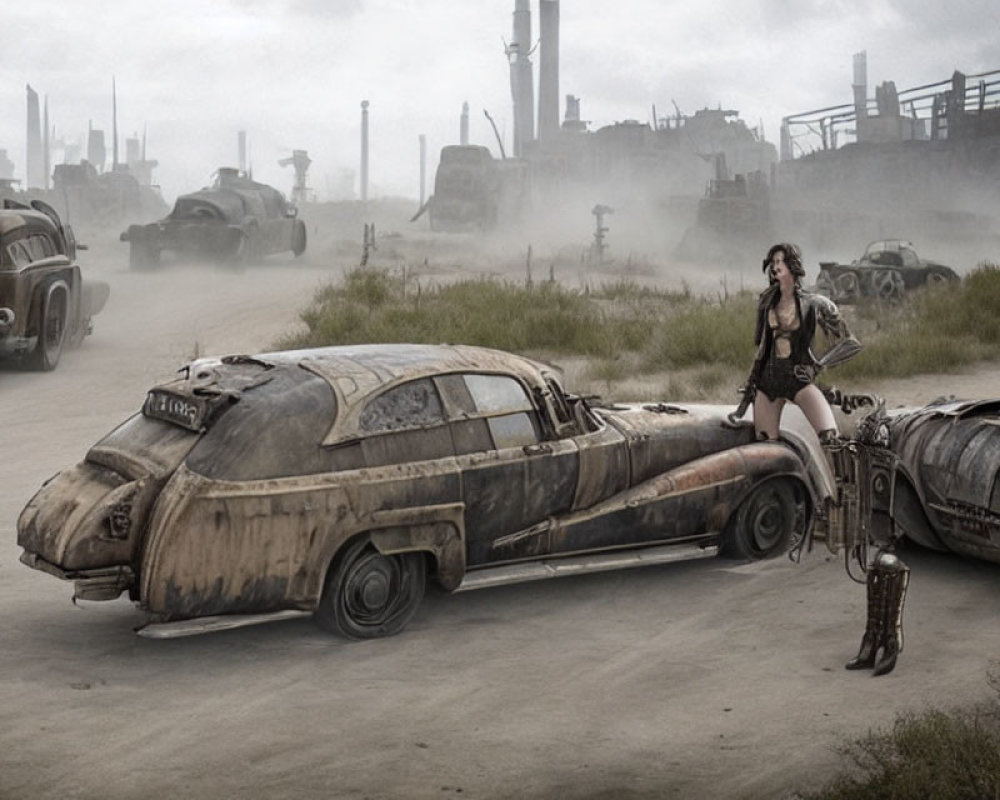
(949,495)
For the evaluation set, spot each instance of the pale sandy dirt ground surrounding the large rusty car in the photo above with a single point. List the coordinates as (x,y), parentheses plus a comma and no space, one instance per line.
(710,679)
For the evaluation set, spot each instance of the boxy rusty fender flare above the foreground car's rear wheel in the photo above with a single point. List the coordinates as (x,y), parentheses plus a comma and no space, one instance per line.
(438,530)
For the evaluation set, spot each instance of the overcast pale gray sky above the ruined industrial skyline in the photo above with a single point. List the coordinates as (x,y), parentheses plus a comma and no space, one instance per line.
(293,73)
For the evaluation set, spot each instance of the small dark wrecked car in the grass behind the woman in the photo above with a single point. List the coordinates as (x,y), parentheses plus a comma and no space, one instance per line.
(886,271)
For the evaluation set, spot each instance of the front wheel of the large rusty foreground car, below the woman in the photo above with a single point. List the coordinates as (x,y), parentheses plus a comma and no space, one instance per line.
(763,525)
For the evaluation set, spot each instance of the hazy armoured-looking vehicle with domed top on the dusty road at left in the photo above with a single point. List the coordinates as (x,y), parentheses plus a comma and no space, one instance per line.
(234,221)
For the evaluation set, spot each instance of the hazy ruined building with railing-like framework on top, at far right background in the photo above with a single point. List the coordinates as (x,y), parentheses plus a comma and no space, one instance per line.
(923,162)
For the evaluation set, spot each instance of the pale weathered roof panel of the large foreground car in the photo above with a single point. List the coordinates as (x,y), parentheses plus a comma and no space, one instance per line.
(358,372)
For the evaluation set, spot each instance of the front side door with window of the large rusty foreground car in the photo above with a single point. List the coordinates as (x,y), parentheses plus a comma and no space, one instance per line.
(513,479)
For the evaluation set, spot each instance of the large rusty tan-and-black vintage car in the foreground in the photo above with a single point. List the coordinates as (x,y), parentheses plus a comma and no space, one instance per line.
(335,481)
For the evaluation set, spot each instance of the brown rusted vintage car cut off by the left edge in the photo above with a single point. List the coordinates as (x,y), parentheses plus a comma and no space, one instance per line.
(45,305)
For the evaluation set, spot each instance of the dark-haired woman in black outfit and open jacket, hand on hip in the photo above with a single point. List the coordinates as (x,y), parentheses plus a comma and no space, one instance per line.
(785,368)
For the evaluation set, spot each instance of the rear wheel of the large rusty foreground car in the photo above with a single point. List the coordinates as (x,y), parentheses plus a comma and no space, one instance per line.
(368,595)
